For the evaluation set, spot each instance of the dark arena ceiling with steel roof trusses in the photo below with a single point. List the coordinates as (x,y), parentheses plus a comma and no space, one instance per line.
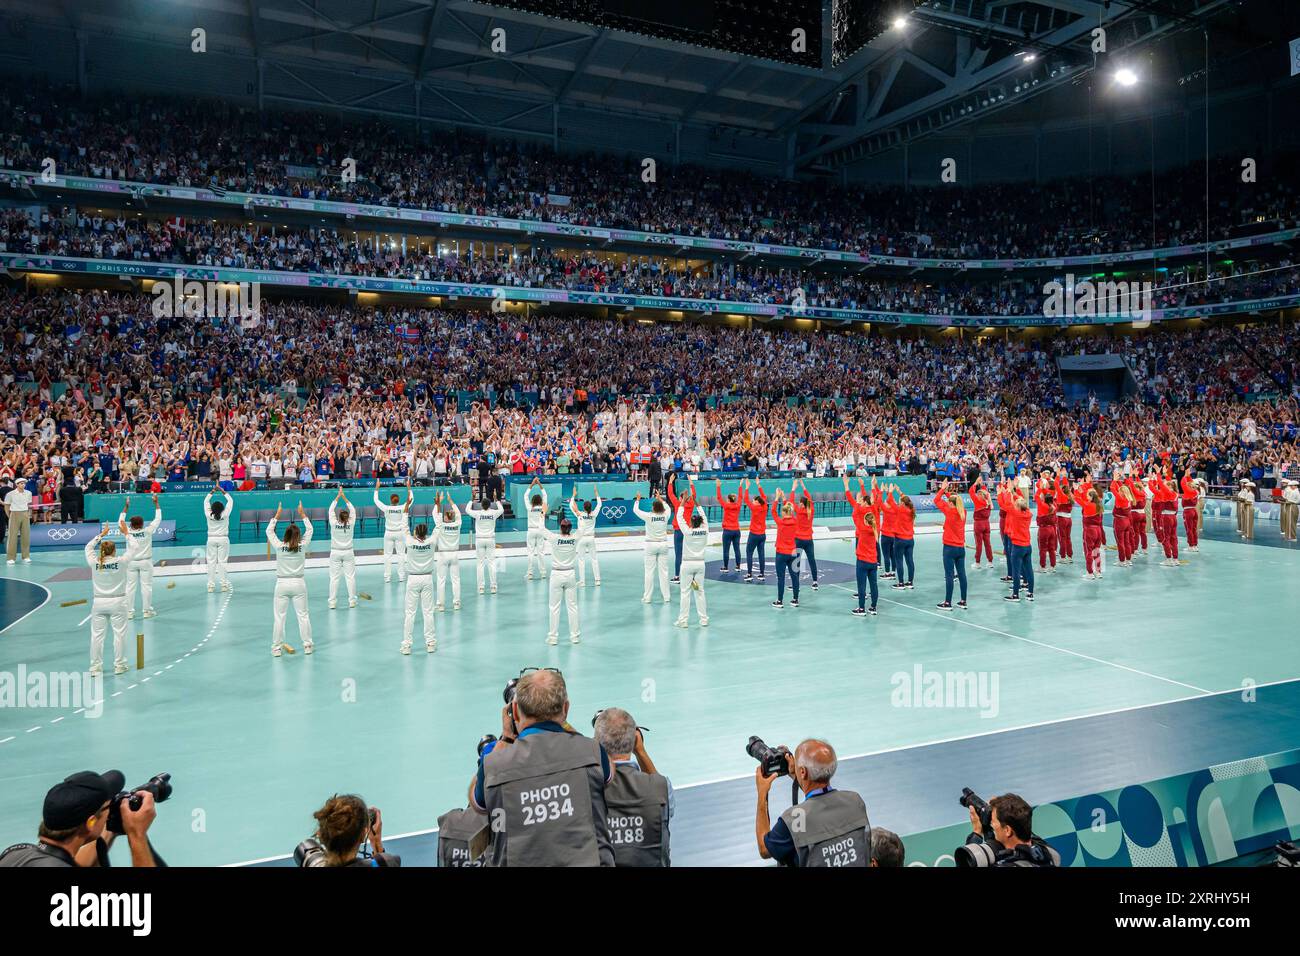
(955,63)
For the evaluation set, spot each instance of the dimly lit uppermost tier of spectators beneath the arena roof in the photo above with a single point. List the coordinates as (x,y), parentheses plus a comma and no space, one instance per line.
(220,146)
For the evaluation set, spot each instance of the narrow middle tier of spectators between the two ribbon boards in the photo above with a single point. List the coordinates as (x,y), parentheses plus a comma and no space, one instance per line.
(68,232)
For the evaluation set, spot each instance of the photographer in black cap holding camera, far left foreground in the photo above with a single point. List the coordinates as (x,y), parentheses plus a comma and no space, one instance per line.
(75,825)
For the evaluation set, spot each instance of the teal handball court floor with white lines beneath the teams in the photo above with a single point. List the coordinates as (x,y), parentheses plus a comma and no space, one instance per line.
(255,745)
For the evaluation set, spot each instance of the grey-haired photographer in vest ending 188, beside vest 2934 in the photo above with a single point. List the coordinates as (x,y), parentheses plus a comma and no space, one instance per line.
(639,801)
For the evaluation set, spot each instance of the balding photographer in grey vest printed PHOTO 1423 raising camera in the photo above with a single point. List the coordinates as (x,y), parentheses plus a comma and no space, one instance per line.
(829,829)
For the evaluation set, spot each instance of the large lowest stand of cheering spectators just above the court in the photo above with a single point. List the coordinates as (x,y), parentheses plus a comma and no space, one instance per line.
(317,392)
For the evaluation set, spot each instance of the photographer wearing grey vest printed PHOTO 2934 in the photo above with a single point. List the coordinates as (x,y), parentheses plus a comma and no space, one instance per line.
(543,784)
